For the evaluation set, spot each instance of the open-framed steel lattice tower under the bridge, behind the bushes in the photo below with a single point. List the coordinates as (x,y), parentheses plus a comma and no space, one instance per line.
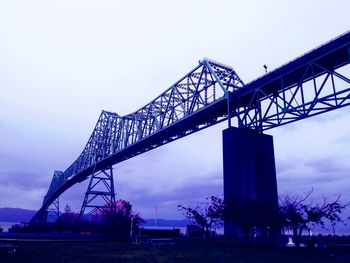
(100,192)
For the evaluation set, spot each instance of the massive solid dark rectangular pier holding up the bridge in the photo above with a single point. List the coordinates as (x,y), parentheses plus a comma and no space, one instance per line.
(250,186)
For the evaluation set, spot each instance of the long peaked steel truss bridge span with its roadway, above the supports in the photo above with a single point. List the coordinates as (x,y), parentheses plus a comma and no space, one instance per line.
(312,84)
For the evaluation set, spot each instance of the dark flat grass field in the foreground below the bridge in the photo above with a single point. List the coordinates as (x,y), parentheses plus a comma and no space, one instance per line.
(182,251)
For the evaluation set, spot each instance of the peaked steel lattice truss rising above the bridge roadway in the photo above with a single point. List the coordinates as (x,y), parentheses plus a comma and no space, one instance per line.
(200,88)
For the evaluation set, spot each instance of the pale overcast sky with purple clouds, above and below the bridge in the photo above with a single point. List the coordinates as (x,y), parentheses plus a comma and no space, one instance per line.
(62,62)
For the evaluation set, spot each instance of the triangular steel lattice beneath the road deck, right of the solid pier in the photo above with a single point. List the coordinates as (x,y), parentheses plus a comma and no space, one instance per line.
(312,95)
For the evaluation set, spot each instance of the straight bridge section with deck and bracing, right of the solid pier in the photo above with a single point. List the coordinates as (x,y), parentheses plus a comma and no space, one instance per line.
(310,85)
